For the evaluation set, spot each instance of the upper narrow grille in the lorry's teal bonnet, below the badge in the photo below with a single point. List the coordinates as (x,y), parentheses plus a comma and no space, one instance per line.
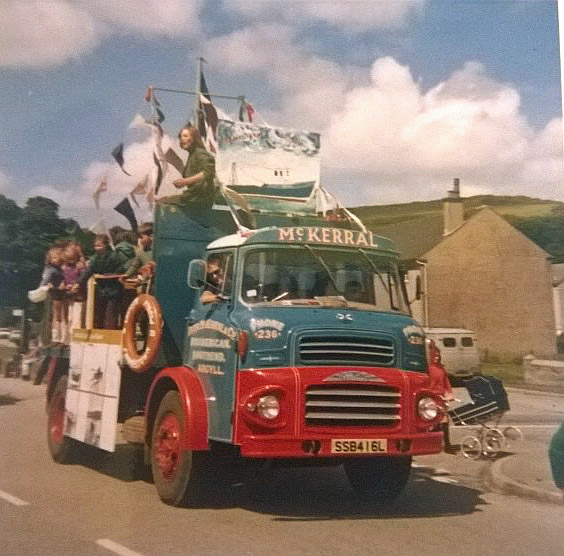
(353,350)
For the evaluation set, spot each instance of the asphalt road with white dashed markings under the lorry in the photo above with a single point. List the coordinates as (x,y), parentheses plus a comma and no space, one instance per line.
(101,507)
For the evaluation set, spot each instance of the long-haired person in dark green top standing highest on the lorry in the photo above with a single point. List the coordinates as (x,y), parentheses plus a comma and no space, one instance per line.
(199,172)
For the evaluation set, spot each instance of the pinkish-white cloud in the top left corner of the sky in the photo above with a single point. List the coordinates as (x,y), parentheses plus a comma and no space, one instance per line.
(46,33)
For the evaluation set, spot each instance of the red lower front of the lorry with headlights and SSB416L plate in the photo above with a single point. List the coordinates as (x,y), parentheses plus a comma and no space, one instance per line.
(294,433)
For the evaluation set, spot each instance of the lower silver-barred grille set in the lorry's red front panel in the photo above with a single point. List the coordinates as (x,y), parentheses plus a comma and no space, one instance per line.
(346,405)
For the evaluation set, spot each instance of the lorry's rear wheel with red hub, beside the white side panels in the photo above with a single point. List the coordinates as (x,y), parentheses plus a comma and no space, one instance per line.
(61,447)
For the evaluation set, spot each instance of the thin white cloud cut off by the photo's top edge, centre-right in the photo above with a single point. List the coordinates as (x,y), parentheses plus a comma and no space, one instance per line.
(354,16)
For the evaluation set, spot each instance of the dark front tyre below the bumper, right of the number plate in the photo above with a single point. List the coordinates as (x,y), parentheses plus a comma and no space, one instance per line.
(379,478)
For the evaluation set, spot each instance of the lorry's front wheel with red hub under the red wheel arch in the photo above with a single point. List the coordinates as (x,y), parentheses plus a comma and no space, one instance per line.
(176,471)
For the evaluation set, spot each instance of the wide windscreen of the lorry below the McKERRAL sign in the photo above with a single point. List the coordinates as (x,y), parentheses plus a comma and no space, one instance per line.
(297,274)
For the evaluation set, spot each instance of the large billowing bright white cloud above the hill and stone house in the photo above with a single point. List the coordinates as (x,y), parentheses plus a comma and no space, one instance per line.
(403,143)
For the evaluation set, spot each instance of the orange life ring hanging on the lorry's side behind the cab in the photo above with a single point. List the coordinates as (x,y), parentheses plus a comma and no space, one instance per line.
(141,362)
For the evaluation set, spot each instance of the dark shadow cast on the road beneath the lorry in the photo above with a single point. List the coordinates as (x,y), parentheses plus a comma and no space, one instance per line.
(301,494)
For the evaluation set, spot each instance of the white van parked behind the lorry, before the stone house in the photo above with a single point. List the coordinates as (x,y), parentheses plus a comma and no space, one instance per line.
(459,352)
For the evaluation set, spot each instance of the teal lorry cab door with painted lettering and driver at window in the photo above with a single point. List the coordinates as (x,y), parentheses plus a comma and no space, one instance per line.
(211,342)
